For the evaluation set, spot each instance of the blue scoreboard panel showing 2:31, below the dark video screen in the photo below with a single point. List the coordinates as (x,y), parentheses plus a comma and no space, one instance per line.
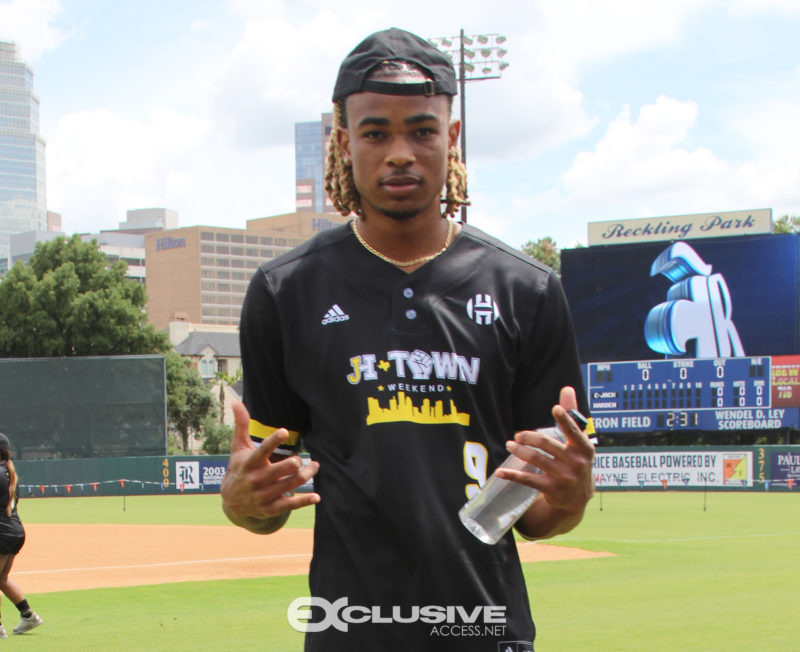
(686,394)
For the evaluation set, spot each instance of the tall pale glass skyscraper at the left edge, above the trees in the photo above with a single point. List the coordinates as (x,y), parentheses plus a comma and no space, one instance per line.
(23,197)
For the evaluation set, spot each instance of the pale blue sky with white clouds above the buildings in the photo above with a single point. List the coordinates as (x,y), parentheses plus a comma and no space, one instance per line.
(610,109)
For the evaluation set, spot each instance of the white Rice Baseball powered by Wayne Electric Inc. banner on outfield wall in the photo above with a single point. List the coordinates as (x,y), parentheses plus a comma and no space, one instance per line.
(674,469)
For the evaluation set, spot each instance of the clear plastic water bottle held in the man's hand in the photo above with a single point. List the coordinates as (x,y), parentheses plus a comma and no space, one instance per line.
(500,503)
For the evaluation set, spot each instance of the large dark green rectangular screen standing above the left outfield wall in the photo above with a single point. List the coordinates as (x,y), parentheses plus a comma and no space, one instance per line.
(105,406)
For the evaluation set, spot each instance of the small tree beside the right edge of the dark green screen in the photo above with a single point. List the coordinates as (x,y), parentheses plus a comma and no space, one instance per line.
(189,400)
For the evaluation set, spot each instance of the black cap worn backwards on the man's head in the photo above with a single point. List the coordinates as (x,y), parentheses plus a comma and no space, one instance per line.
(395,45)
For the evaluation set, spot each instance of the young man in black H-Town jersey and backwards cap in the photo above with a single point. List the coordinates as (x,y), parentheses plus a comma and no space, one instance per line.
(404,351)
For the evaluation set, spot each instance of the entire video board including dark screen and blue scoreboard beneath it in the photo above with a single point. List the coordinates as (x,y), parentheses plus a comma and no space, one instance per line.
(689,335)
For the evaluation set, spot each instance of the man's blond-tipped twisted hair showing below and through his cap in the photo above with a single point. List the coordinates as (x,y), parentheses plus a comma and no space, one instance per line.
(339,182)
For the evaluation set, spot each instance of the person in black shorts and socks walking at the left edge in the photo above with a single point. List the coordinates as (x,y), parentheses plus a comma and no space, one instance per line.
(12,538)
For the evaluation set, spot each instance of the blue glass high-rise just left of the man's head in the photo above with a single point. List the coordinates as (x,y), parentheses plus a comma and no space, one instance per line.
(310,155)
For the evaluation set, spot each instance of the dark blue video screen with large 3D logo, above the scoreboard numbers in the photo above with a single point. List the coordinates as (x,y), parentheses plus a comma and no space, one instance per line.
(719,297)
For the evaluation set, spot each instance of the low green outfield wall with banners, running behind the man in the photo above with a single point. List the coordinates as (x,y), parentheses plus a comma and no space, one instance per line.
(719,468)
